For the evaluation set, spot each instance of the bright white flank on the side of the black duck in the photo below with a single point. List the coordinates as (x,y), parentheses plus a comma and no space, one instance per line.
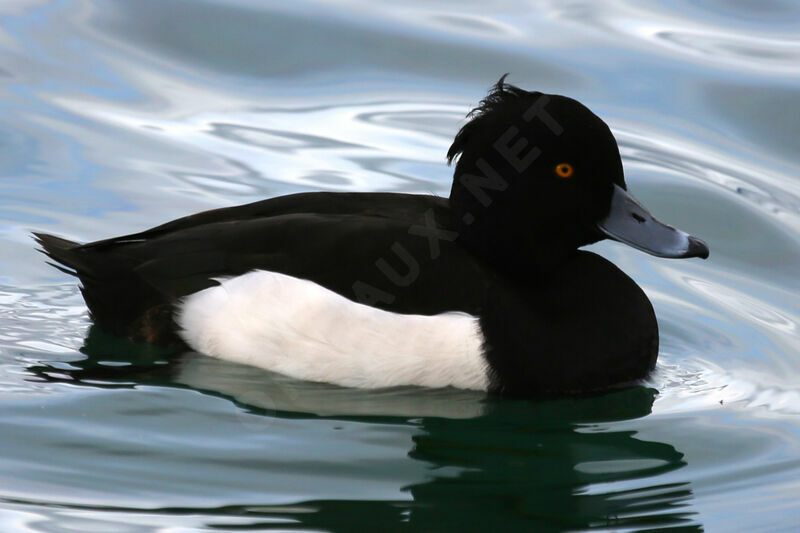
(301,329)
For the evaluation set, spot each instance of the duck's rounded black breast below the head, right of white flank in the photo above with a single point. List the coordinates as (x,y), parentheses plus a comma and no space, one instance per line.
(586,327)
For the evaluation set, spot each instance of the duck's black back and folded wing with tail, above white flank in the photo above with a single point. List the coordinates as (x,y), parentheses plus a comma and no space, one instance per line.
(393,251)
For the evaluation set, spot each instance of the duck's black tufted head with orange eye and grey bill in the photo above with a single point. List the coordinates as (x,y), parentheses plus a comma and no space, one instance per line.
(539,175)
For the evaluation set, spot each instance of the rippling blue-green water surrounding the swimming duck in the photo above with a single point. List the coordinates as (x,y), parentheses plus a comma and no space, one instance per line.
(118,115)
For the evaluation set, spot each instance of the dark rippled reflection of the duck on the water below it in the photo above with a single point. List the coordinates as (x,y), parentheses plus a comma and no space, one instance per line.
(491,463)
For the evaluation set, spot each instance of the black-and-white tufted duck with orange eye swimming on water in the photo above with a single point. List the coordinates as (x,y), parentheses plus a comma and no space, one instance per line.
(486,289)
